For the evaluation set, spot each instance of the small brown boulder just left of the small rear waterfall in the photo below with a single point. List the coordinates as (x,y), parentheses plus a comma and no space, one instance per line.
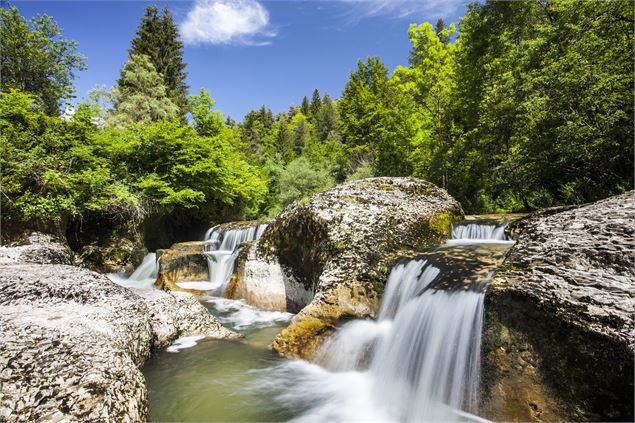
(182,262)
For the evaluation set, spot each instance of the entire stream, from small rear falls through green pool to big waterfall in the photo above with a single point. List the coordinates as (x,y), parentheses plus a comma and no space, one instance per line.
(418,361)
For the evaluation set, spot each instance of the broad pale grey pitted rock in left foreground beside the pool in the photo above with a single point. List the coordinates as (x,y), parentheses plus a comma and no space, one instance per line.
(72,341)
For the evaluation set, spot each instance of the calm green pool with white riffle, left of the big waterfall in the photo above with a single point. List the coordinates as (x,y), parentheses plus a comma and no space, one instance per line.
(213,381)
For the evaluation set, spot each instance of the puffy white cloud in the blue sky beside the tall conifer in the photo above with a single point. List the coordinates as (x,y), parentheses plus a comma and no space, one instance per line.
(243,22)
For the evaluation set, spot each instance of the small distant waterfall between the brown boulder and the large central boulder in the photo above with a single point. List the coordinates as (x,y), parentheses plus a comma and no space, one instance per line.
(222,248)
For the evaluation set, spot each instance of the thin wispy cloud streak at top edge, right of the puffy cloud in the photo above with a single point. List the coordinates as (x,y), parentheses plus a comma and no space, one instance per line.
(404,8)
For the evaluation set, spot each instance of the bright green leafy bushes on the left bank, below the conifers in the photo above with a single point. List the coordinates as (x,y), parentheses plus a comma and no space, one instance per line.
(56,172)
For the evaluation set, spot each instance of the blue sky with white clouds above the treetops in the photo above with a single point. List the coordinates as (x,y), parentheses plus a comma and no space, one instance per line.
(251,52)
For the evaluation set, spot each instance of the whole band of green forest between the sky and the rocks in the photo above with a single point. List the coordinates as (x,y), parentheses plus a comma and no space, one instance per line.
(518,106)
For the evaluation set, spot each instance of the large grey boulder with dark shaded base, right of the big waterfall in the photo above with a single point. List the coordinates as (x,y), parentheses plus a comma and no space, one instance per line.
(559,336)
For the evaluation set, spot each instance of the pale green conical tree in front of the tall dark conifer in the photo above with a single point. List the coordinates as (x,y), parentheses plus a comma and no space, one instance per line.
(142,96)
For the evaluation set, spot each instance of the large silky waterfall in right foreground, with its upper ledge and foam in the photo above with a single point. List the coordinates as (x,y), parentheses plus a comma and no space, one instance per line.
(420,360)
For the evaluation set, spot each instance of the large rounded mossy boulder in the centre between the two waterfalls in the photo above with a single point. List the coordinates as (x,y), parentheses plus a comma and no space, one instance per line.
(328,257)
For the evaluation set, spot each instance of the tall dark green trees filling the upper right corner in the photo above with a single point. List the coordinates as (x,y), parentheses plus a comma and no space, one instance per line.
(544,103)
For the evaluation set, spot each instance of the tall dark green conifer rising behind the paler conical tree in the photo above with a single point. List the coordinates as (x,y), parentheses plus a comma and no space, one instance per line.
(158,38)
